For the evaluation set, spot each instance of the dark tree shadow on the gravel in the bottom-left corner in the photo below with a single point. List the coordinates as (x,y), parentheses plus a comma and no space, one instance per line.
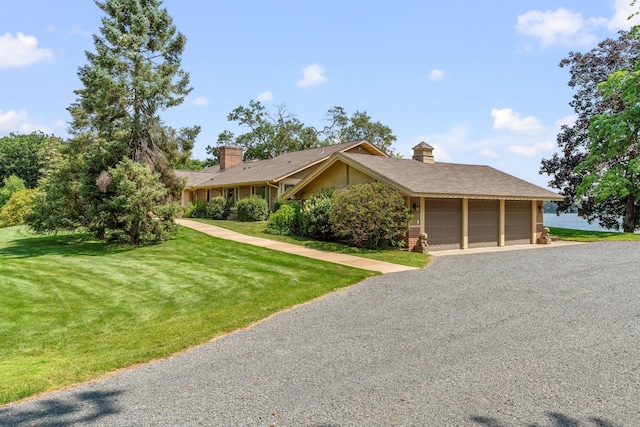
(88,407)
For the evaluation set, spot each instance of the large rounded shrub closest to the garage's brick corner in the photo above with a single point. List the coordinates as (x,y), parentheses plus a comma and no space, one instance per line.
(370,215)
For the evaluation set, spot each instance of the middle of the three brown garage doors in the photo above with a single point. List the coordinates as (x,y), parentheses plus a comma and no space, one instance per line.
(484,223)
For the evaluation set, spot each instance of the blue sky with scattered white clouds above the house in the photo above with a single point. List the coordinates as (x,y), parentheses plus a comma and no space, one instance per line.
(478,80)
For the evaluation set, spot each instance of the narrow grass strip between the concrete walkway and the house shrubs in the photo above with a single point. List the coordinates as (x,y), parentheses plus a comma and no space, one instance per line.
(411,259)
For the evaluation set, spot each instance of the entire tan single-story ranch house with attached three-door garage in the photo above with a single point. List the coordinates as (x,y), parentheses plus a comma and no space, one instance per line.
(456,205)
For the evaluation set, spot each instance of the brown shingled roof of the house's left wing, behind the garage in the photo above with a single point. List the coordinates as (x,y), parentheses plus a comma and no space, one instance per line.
(270,170)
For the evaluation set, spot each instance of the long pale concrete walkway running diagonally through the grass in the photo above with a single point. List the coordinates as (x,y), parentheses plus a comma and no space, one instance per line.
(349,260)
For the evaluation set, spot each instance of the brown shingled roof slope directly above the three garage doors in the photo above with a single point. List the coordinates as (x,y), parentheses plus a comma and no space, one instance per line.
(447,179)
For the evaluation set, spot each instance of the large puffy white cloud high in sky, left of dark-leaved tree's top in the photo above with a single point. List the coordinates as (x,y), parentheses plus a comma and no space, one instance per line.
(562,25)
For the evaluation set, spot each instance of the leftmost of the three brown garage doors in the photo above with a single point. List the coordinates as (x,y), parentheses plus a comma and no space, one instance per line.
(443,223)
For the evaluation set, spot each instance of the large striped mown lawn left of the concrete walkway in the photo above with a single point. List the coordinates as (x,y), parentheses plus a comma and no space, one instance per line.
(73,308)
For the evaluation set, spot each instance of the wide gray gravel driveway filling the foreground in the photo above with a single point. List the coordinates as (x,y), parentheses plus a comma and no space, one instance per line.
(546,337)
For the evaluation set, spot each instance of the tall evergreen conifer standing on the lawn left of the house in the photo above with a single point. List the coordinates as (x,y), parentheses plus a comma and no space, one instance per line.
(133,75)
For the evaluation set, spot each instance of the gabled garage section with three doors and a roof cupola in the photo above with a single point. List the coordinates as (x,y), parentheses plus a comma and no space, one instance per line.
(458,206)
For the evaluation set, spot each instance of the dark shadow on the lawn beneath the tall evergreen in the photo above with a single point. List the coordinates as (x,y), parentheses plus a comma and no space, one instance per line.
(65,245)
